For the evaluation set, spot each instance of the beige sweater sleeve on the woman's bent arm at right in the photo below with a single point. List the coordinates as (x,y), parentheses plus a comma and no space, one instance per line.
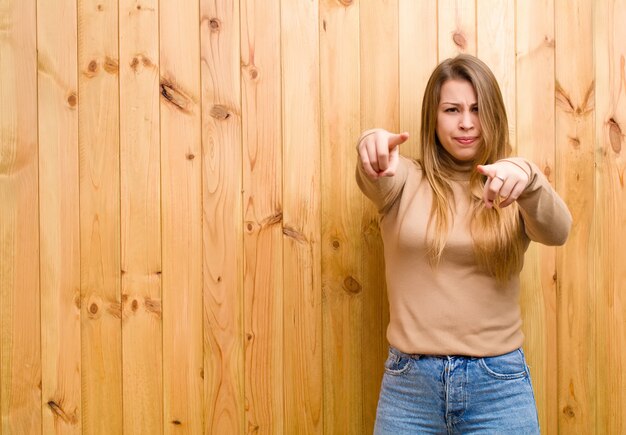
(546,218)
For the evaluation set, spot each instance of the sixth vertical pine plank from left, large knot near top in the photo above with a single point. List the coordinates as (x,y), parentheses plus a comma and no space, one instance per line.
(222,218)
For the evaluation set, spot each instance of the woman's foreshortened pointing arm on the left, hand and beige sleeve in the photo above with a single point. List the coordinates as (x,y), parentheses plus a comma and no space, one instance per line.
(381,171)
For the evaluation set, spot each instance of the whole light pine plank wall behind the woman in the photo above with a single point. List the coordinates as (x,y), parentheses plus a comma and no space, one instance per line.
(183,248)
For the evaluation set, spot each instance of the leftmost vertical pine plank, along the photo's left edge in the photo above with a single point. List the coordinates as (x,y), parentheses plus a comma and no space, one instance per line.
(20,356)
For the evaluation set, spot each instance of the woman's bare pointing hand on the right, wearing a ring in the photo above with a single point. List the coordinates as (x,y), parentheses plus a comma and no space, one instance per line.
(504,179)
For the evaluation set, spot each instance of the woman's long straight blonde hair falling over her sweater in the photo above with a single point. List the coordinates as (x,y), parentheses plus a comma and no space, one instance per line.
(495,232)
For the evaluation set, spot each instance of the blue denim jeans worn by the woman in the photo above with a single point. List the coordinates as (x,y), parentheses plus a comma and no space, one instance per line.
(423,394)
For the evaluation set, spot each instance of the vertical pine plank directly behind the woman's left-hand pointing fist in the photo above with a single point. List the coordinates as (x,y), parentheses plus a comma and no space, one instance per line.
(379,108)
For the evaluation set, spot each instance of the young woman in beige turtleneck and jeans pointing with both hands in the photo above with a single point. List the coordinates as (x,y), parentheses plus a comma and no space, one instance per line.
(455,226)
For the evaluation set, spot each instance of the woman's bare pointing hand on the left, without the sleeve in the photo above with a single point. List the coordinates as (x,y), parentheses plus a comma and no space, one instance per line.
(379,152)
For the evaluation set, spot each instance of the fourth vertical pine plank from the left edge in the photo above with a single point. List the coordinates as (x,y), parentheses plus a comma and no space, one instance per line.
(140,217)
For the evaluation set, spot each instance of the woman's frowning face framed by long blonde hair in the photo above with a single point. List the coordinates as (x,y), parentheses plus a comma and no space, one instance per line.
(458,126)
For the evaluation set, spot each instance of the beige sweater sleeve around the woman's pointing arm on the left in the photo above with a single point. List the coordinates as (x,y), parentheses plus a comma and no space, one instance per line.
(383,191)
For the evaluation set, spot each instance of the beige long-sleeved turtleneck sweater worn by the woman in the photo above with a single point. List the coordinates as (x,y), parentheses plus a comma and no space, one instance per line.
(455,309)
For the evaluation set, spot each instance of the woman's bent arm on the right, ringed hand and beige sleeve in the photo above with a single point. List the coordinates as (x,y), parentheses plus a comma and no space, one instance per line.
(547,219)
